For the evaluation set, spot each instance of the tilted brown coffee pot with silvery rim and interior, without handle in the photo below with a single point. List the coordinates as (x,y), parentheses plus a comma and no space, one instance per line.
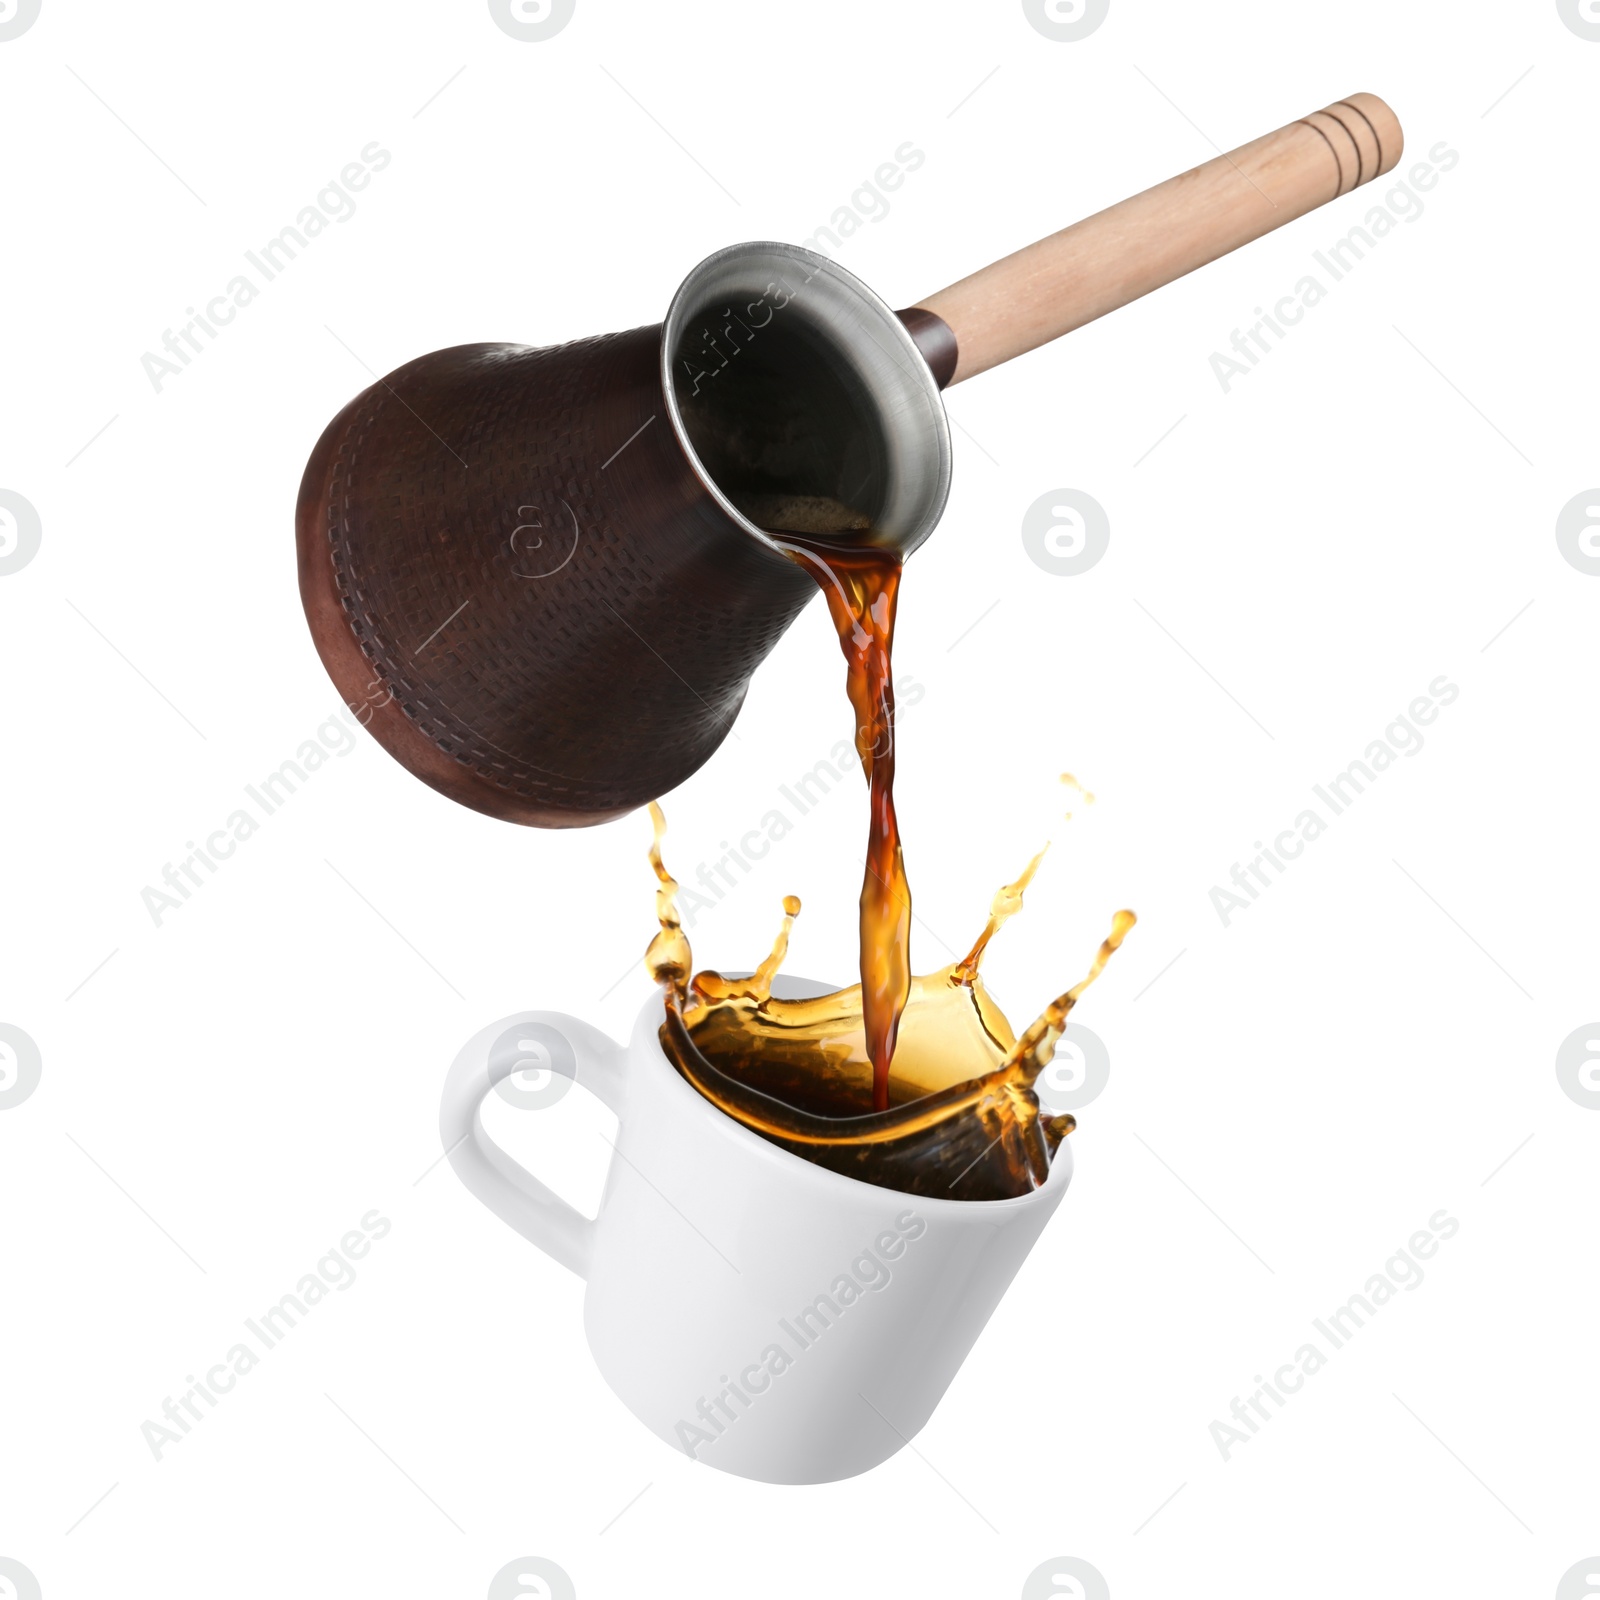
(529,580)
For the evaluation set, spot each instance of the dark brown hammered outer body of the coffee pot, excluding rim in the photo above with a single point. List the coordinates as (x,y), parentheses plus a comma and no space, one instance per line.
(554,620)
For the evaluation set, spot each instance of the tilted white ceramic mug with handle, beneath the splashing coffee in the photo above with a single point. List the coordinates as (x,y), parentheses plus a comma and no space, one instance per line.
(753,1310)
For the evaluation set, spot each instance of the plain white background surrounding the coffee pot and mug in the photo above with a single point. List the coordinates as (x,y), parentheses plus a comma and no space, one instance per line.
(1290,1098)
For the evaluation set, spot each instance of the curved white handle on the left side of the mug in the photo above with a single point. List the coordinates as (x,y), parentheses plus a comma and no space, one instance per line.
(508,1190)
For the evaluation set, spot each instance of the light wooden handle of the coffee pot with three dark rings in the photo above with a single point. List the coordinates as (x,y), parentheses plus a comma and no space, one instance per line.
(1135,247)
